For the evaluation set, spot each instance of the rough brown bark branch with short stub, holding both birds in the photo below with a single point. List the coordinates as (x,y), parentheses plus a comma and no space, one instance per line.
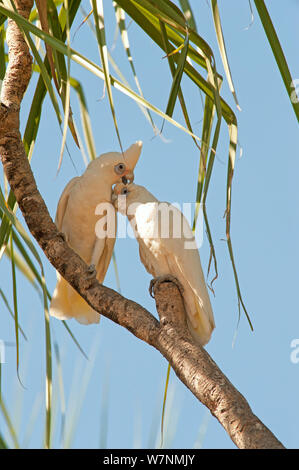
(170,336)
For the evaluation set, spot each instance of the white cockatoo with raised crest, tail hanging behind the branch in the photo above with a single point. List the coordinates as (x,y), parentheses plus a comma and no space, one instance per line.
(76,218)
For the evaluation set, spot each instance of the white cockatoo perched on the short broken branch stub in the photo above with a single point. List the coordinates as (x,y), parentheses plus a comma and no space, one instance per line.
(167,247)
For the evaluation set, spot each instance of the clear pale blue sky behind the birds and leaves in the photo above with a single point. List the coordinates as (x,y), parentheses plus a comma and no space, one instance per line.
(115,398)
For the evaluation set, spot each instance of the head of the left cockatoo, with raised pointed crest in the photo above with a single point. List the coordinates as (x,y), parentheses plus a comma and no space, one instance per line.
(116,166)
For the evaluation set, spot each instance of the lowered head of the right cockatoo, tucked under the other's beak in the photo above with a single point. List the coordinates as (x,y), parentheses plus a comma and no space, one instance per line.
(123,195)
